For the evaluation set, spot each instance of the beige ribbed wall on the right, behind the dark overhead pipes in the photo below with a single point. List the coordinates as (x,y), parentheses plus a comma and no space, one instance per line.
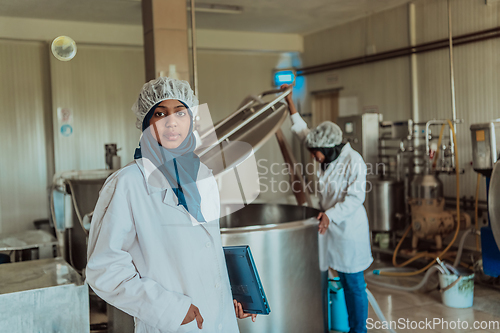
(385,86)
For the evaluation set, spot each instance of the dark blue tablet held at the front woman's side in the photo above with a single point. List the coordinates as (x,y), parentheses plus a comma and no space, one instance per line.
(244,278)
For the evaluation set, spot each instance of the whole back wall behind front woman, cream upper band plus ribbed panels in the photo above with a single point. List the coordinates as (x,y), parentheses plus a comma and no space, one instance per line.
(99,87)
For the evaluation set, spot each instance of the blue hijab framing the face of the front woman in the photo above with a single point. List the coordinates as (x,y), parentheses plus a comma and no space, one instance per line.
(179,165)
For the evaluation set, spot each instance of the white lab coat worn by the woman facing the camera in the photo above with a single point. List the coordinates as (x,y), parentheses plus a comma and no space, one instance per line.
(148,258)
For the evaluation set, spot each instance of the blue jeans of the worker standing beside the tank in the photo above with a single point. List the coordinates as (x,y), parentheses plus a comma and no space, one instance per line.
(355,298)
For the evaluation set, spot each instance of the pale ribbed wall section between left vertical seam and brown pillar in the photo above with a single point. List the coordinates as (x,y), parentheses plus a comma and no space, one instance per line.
(98,87)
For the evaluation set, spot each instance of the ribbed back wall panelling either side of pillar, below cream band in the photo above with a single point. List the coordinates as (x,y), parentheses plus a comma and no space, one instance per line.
(98,87)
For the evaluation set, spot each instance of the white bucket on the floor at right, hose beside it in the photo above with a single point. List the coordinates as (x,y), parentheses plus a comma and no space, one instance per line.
(457,291)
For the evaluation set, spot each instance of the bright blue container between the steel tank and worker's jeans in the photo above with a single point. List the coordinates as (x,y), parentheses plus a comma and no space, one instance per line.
(338,319)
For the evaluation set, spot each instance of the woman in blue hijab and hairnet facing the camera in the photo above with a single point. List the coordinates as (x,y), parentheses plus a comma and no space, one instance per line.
(154,247)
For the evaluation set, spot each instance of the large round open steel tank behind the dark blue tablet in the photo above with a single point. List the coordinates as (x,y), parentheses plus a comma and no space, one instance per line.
(284,242)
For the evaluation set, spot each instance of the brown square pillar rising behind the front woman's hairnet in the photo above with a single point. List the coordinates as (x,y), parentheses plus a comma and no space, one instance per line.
(165,38)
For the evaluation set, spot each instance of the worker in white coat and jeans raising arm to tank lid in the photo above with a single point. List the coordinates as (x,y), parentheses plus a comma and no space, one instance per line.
(344,234)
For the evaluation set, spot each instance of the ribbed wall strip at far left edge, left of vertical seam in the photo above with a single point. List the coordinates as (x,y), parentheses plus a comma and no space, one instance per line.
(24,105)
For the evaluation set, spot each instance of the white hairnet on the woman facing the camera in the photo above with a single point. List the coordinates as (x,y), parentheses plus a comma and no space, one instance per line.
(159,90)
